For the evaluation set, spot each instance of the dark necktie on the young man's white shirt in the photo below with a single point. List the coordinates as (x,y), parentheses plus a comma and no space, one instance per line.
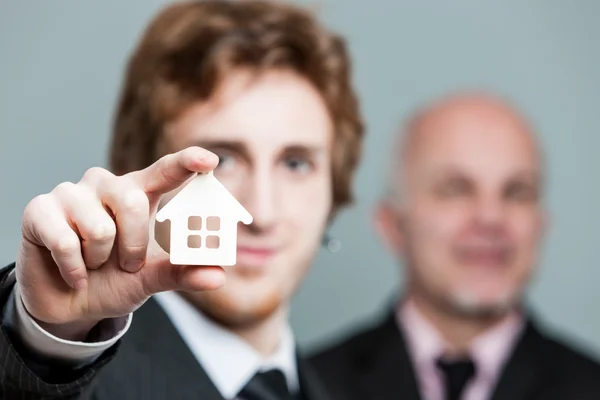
(268,385)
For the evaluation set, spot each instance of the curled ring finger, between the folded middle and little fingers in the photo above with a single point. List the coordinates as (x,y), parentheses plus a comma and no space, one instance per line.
(93,223)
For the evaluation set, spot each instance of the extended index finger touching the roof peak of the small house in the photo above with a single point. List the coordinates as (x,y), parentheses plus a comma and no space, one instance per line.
(172,170)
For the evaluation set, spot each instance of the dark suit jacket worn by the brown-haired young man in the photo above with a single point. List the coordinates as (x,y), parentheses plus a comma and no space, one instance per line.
(150,362)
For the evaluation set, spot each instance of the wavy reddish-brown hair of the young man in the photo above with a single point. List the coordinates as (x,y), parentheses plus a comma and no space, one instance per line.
(189,48)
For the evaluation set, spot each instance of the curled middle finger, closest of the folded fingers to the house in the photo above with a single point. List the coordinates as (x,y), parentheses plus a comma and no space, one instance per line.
(130,207)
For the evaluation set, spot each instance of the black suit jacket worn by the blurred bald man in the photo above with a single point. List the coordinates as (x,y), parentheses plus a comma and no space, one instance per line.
(374,364)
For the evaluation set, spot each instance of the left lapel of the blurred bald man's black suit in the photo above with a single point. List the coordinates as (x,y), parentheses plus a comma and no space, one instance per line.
(386,366)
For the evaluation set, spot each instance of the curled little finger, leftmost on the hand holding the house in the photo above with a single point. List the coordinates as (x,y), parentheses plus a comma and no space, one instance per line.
(45,224)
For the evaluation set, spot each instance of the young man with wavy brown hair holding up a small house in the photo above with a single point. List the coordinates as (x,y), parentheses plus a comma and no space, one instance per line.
(258,92)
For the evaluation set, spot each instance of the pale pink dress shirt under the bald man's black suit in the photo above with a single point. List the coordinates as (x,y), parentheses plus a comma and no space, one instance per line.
(489,352)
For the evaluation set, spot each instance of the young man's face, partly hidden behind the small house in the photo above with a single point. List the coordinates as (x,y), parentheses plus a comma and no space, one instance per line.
(273,136)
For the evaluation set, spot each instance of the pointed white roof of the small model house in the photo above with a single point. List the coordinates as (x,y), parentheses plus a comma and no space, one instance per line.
(204,194)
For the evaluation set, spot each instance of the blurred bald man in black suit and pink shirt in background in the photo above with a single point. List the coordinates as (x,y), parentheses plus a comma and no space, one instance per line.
(465,214)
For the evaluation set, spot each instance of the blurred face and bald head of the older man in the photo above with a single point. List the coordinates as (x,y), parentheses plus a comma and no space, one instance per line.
(471,223)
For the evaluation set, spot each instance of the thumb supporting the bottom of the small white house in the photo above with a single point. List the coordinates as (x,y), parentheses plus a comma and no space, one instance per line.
(159,275)
